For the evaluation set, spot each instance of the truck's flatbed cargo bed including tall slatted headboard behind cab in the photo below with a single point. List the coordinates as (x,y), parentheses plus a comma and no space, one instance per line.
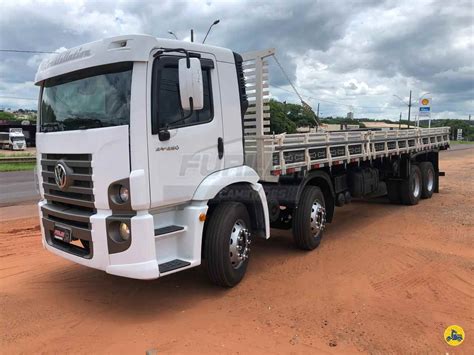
(272,155)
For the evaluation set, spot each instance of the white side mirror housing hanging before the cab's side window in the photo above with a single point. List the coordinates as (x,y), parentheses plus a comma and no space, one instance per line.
(190,84)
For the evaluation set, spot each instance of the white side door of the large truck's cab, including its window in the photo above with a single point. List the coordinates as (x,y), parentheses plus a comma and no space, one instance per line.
(194,150)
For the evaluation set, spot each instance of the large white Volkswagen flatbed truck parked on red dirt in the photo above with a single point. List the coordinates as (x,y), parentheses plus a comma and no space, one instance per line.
(156,155)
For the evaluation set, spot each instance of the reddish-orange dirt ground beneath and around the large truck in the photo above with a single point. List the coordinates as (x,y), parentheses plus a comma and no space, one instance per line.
(385,279)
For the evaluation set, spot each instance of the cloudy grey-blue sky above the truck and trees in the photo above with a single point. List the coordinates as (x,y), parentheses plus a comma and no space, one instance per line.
(353,56)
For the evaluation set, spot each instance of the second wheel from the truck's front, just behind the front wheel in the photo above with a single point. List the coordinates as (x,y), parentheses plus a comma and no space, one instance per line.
(309,219)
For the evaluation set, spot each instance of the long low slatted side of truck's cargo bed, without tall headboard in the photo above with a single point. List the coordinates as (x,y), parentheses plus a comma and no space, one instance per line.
(289,153)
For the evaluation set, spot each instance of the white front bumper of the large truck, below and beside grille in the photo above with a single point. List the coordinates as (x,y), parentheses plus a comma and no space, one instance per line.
(138,261)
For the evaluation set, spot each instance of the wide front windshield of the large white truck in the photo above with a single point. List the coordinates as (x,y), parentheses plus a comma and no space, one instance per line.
(90,98)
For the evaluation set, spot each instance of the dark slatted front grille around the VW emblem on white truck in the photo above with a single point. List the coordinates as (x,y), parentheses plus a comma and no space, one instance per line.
(71,207)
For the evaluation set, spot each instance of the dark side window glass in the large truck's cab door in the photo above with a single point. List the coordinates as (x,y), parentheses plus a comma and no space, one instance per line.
(166,102)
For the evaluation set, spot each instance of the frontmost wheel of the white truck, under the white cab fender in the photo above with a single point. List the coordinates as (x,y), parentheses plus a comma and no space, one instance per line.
(228,222)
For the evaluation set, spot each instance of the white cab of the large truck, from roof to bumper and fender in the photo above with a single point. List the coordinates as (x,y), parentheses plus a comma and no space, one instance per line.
(127,171)
